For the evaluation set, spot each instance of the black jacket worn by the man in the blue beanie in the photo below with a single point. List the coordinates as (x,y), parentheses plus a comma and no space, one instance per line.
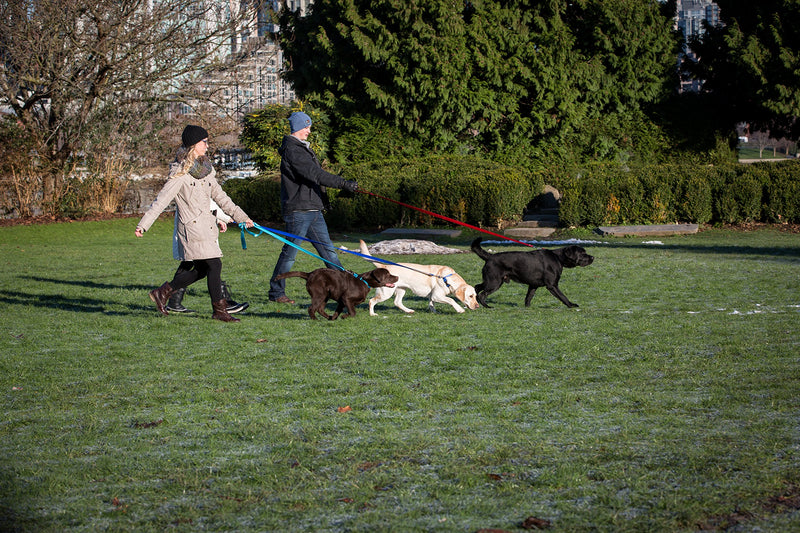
(303,181)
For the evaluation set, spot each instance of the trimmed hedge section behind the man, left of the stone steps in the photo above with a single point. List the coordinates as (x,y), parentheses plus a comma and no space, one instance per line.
(470,189)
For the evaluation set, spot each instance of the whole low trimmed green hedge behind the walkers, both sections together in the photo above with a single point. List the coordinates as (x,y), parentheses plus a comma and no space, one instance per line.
(485,193)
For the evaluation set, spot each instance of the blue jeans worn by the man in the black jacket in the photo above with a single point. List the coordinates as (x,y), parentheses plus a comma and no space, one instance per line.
(308,224)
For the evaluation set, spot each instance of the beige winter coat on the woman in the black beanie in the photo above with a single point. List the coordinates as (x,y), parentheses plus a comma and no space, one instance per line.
(196,226)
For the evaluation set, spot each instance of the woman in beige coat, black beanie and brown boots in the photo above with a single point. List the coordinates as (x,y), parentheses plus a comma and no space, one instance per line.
(192,184)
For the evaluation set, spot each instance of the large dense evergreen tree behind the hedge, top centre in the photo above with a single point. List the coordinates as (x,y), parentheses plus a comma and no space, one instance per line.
(487,73)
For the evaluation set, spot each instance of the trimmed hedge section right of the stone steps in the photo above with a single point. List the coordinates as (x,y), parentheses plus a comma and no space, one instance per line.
(611,194)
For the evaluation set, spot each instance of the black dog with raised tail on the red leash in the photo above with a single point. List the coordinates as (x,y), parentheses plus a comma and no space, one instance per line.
(538,268)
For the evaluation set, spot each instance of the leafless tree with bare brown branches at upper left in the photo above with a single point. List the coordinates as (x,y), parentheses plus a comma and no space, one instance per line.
(72,70)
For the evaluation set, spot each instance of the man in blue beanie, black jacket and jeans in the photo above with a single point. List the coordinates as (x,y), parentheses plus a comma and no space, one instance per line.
(303,200)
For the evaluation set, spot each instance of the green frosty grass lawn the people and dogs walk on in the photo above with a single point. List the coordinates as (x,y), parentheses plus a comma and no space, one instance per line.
(669,401)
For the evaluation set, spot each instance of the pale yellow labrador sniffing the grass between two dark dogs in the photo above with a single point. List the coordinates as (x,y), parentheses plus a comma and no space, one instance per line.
(434,282)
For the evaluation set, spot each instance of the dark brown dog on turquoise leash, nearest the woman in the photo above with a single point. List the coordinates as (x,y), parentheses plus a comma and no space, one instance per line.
(346,288)
